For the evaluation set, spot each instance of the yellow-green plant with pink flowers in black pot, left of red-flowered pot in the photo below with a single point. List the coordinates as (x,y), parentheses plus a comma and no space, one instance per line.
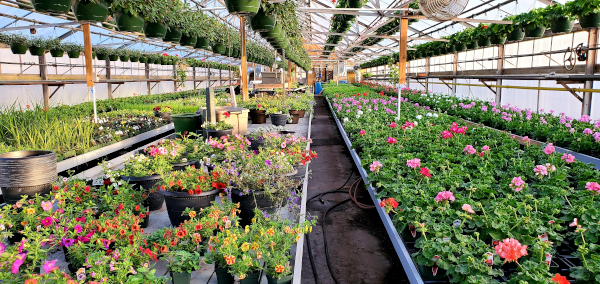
(145,172)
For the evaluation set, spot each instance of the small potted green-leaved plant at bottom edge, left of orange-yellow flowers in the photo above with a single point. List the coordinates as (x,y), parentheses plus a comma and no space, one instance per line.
(182,264)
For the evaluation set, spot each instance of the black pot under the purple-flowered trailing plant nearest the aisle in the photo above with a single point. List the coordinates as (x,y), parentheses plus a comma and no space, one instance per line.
(250,201)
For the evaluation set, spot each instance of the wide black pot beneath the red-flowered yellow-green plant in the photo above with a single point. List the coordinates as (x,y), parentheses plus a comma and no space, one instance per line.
(177,202)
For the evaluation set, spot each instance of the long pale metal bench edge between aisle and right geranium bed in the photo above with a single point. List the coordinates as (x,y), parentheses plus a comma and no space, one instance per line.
(409,266)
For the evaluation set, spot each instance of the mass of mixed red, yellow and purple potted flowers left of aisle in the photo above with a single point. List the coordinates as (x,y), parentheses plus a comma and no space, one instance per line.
(100,228)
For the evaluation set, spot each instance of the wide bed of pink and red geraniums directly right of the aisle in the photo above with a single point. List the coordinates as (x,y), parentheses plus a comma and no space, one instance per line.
(474,204)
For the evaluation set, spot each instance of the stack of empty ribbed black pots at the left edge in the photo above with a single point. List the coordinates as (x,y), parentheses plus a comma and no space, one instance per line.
(26,173)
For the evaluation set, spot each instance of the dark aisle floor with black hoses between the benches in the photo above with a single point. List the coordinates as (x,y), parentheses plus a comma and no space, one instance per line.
(359,247)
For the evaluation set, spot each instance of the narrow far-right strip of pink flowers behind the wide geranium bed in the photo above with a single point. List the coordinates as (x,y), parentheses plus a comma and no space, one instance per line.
(580,135)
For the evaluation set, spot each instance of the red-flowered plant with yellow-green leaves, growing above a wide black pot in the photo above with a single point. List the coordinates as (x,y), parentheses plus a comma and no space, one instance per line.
(194,181)
